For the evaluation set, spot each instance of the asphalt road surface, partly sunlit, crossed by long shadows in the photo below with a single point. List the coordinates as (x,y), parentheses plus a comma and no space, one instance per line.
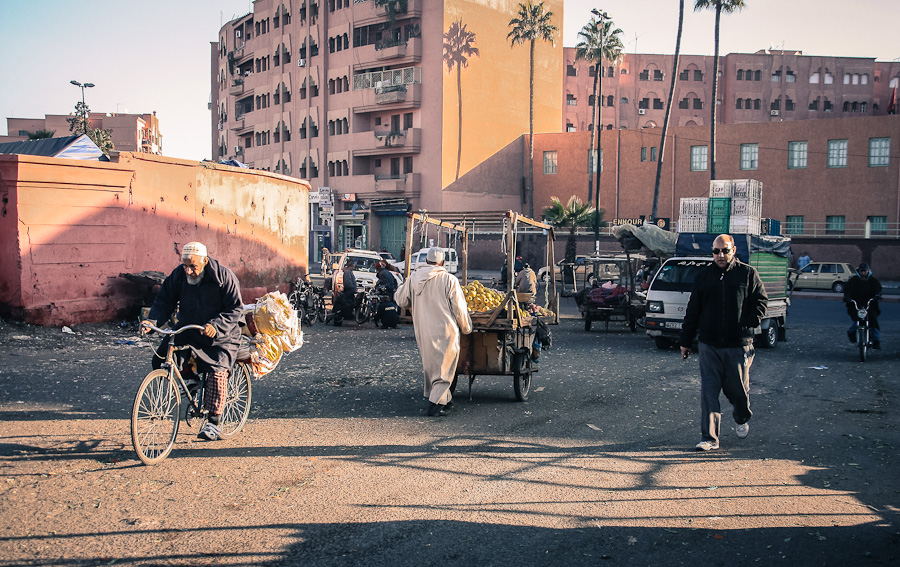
(339,465)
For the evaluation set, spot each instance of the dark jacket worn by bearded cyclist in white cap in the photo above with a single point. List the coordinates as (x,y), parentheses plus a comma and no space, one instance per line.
(216,300)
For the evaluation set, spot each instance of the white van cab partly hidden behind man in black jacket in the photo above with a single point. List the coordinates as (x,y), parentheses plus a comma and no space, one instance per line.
(667,298)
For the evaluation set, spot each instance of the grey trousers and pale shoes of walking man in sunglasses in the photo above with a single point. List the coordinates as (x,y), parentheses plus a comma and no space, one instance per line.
(725,370)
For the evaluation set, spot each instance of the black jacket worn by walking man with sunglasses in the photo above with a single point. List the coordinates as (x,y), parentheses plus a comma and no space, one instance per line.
(725,306)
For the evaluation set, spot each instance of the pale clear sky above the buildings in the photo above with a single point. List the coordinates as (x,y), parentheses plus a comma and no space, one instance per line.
(155,56)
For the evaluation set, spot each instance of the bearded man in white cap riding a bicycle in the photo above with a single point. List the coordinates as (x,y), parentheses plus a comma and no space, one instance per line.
(208,294)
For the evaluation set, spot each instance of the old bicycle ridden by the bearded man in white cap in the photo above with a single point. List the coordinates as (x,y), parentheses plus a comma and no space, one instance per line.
(155,415)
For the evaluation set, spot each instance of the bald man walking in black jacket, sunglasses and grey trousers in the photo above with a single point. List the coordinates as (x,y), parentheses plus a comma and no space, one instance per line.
(727,303)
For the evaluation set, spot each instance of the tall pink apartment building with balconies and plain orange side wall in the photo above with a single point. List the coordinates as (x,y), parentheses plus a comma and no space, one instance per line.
(384,106)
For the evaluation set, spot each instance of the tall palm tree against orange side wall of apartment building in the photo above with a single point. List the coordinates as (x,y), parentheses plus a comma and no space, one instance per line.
(533,23)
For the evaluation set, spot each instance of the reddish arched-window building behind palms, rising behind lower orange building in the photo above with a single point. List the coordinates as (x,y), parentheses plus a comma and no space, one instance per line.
(766,86)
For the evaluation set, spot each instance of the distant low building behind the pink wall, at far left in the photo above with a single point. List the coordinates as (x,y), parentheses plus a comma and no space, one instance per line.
(129,132)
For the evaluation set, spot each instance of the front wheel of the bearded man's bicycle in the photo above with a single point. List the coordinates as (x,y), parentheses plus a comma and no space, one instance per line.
(155,417)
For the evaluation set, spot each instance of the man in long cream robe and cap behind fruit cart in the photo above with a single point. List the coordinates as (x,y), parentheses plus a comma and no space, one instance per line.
(439,314)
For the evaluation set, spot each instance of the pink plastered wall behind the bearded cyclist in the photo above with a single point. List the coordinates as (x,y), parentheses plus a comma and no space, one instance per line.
(70,228)
